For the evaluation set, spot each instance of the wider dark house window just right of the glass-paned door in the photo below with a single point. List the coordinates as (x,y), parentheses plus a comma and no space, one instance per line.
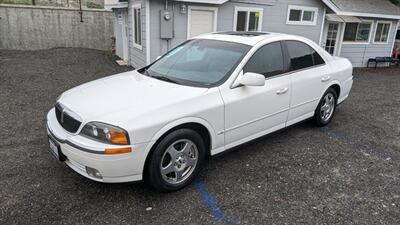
(357,32)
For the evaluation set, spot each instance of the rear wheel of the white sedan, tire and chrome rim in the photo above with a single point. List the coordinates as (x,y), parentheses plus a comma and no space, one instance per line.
(326,108)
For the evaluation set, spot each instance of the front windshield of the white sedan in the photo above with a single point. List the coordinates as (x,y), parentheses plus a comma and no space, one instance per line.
(200,62)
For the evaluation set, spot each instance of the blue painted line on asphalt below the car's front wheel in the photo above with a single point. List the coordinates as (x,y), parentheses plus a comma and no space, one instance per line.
(209,200)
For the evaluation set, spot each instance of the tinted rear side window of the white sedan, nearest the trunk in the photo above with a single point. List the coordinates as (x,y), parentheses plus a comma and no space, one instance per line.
(302,56)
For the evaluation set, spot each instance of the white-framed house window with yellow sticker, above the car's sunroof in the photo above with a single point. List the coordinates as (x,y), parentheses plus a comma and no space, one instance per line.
(247,19)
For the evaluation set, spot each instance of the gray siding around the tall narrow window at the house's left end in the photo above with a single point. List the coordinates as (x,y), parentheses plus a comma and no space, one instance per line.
(137,57)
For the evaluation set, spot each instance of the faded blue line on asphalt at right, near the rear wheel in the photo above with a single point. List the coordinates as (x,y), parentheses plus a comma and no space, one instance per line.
(365,146)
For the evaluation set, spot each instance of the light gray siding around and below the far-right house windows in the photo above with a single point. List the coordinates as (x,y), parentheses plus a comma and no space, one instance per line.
(359,54)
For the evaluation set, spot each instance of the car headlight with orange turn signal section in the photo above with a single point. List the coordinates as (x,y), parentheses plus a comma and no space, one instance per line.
(105,133)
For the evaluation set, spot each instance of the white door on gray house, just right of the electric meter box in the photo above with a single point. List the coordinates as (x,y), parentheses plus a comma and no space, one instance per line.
(201,20)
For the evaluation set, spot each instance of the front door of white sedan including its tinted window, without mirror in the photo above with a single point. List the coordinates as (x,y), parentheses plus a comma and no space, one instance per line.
(253,111)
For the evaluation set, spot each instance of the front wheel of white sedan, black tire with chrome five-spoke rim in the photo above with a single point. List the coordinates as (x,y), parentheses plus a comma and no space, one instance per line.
(176,160)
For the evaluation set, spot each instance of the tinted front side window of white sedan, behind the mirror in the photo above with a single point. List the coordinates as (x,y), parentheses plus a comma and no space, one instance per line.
(268,60)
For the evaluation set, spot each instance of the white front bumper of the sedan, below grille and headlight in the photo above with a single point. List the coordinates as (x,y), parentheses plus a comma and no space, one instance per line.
(81,152)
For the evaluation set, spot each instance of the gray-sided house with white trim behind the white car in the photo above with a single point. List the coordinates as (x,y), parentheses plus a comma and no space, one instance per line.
(355,29)
